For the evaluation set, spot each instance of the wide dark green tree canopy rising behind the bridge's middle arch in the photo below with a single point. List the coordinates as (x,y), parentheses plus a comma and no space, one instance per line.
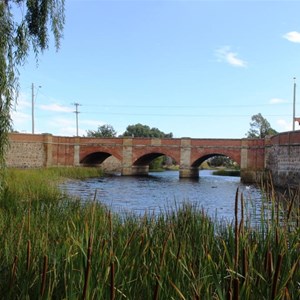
(139,130)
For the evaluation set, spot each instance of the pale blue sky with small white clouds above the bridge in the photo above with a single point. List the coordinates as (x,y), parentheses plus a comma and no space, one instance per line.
(198,68)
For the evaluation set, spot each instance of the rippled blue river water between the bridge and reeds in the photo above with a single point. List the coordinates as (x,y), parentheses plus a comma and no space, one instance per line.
(163,191)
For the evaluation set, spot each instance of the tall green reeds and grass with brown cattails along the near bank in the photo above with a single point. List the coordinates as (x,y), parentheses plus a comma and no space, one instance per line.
(55,247)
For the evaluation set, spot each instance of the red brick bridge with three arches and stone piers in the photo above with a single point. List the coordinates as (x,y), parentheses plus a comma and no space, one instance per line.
(280,154)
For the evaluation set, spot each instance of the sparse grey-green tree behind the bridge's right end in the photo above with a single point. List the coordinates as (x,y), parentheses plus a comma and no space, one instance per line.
(260,127)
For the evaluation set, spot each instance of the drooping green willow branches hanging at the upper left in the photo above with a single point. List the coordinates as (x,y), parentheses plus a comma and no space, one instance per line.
(25,27)
